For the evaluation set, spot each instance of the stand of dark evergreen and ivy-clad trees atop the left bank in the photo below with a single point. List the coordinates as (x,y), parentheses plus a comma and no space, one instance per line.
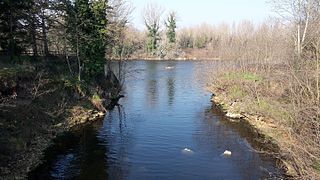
(88,30)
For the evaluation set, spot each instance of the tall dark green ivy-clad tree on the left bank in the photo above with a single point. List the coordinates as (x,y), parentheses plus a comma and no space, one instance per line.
(86,27)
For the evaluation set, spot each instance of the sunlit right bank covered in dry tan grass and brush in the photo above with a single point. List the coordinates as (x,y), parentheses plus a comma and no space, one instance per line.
(282,104)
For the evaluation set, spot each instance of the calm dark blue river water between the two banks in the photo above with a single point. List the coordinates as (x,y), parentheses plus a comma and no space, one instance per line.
(166,109)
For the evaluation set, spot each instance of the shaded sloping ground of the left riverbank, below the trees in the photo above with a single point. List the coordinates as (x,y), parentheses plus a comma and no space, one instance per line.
(39,102)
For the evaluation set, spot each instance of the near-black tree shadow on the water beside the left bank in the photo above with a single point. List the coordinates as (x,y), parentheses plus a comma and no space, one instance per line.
(75,155)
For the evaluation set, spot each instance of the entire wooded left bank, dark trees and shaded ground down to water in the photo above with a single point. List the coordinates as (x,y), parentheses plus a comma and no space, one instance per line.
(54,59)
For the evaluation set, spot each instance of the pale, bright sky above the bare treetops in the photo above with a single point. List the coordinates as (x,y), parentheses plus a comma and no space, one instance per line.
(195,12)
